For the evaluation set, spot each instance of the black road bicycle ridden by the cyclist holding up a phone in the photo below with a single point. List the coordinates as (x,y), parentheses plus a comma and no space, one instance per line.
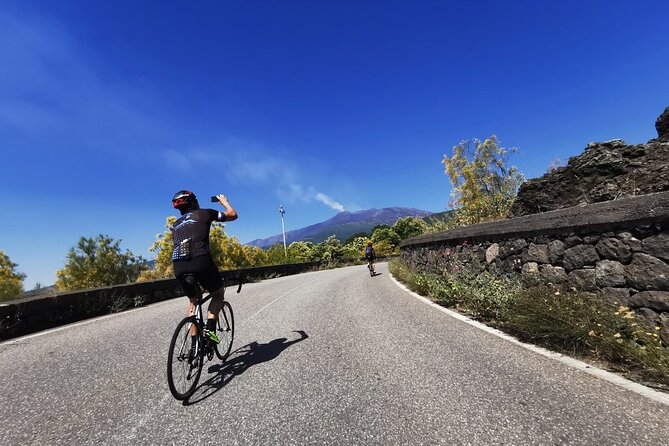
(184,364)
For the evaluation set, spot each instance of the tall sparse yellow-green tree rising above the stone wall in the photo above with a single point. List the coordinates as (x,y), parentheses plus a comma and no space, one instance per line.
(484,186)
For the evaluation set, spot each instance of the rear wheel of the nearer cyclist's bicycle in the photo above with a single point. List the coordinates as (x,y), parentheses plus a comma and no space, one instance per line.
(183,370)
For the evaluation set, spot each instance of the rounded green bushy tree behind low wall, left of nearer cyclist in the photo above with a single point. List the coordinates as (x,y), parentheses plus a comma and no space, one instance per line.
(97,262)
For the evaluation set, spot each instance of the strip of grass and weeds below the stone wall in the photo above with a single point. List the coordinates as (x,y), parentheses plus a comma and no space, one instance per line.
(573,323)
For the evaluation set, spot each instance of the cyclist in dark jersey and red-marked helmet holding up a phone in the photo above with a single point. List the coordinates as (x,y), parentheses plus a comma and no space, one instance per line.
(191,255)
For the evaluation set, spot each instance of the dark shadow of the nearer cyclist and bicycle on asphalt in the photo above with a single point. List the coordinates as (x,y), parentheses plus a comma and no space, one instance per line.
(240,361)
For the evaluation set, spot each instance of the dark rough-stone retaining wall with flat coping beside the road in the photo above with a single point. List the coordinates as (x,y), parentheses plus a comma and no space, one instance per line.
(618,249)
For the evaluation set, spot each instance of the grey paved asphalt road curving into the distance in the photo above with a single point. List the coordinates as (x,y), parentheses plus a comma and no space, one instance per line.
(330,357)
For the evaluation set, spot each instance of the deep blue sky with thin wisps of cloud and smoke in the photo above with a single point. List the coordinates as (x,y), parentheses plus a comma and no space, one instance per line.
(108,108)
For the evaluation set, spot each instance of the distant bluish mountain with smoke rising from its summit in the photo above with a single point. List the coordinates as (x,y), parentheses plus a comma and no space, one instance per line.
(343,225)
